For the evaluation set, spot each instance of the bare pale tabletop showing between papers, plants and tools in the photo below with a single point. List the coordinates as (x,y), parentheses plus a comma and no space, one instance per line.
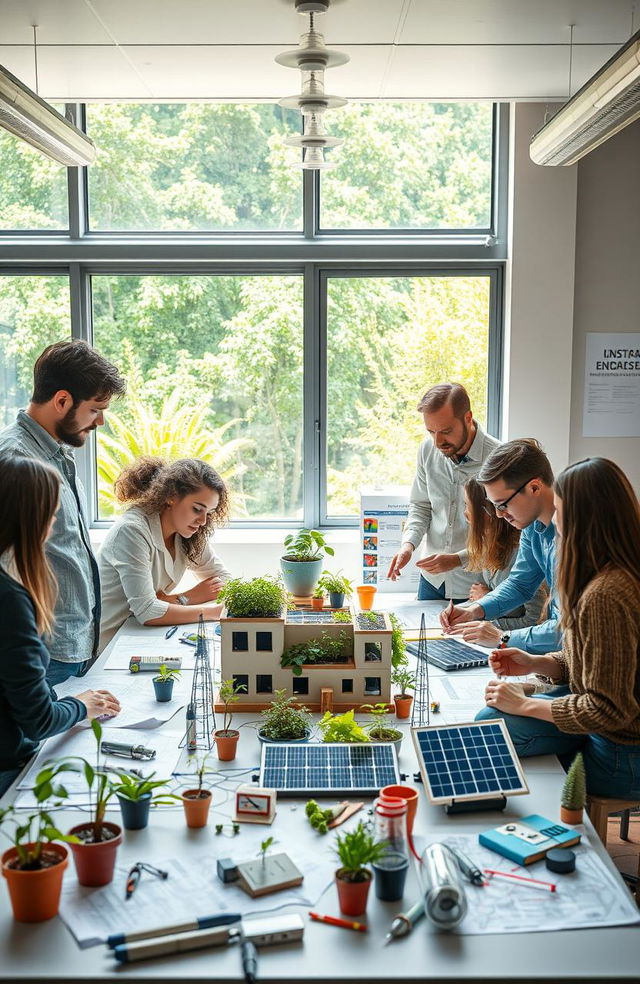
(48,951)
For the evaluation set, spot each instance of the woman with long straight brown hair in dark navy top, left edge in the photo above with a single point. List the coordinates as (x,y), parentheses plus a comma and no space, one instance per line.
(29,709)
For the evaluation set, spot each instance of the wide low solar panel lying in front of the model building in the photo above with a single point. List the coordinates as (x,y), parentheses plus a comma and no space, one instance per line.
(326,768)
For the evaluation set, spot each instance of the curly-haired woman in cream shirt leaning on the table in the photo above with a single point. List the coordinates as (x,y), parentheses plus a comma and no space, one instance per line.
(166,531)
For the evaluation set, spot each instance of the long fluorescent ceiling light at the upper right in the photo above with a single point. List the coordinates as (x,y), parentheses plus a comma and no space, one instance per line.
(604,106)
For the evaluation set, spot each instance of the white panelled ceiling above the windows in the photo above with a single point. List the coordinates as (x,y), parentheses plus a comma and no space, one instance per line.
(225,49)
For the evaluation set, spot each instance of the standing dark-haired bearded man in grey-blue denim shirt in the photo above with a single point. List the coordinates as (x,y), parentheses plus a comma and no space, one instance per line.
(73,386)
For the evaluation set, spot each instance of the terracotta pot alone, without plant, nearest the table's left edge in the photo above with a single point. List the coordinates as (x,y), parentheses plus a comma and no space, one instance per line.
(35,895)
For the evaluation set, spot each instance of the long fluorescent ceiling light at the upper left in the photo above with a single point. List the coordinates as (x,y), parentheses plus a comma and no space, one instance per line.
(30,118)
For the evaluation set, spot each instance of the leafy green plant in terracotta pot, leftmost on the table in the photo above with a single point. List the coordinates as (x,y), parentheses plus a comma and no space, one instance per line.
(34,866)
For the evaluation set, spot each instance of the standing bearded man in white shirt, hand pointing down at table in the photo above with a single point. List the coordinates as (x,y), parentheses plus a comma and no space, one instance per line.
(452,453)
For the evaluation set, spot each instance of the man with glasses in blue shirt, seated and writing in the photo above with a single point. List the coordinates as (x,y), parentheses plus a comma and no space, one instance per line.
(518,482)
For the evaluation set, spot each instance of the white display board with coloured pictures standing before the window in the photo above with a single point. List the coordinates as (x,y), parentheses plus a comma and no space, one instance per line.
(383,515)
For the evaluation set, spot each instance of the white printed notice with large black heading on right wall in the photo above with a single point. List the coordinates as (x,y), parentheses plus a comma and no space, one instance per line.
(612,385)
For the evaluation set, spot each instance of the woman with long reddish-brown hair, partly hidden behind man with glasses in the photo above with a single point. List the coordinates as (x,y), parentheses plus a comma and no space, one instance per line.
(492,546)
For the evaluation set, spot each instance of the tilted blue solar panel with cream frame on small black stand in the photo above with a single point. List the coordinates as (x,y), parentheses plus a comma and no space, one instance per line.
(471,766)
